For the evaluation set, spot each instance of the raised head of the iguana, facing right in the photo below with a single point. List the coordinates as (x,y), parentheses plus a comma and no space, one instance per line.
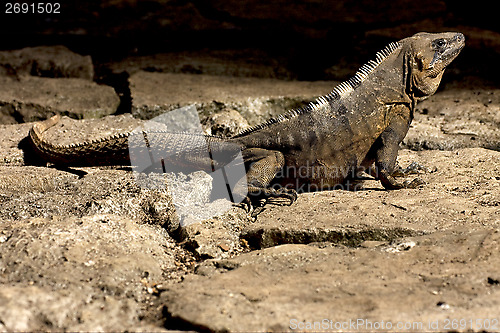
(431,53)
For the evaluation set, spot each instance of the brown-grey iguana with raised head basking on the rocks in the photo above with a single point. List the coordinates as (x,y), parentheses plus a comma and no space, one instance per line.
(360,124)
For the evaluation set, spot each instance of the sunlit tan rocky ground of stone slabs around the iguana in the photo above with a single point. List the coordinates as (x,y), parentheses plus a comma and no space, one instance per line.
(88,249)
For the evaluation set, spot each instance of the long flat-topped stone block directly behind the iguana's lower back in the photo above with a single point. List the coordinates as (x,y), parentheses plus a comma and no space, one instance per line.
(255,99)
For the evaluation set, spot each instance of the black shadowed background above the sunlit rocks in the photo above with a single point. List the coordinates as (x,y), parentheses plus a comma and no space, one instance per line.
(312,39)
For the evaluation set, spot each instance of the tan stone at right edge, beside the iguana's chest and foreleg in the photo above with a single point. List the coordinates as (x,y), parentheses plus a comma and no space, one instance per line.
(457,118)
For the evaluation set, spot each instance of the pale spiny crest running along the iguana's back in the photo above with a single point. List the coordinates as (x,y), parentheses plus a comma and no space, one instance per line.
(338,92)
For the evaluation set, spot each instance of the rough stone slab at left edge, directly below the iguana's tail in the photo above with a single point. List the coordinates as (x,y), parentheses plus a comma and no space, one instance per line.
(29,192)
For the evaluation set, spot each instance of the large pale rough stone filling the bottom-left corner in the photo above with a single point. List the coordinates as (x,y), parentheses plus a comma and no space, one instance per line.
(82,274)
